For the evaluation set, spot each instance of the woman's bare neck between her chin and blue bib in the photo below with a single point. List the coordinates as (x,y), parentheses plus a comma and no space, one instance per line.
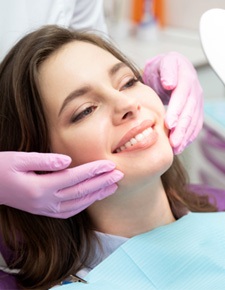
(129,214)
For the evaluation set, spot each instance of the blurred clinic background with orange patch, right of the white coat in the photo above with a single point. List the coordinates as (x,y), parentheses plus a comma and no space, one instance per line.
(145,28)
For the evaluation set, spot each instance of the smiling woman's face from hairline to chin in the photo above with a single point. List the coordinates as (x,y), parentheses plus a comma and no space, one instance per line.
(96,109)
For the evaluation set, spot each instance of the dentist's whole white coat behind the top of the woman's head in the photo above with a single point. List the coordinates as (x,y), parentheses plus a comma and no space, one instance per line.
(19,17)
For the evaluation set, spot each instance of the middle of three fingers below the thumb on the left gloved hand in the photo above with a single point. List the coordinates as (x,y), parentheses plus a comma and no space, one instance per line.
(87,187)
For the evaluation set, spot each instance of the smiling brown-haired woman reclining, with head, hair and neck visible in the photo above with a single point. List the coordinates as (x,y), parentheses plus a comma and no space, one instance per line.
(90,108)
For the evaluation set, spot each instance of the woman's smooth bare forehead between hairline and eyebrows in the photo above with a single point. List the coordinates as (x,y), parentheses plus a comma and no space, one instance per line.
(72,66)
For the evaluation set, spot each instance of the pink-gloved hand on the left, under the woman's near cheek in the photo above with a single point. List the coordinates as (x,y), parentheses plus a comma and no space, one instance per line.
(59,194)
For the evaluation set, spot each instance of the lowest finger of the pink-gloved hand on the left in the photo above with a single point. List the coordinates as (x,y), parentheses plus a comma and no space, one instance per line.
(85,201)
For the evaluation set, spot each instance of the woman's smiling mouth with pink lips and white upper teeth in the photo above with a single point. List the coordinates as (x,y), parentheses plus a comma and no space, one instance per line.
(141,136)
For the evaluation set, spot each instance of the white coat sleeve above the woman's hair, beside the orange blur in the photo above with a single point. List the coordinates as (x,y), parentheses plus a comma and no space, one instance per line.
(89,14)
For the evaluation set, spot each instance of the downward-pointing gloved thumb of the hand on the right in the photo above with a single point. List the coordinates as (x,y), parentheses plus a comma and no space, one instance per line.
(169,72)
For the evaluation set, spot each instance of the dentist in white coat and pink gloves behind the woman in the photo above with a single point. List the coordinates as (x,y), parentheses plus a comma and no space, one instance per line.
(17,169)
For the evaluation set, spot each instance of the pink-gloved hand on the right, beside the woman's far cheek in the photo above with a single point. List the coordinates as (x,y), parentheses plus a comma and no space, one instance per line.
(174,79)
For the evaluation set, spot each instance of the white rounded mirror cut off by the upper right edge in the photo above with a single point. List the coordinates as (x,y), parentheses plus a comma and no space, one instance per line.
(212,35)
